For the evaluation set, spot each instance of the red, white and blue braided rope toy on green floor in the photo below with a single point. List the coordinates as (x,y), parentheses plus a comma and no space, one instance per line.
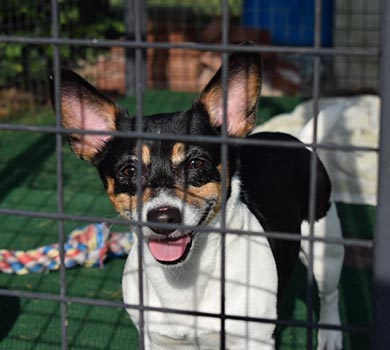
(87,246)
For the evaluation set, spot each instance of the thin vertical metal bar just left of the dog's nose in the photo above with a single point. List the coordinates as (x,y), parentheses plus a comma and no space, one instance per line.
(139,98)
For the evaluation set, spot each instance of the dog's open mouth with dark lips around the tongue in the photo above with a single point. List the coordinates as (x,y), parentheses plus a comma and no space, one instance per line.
(170,251)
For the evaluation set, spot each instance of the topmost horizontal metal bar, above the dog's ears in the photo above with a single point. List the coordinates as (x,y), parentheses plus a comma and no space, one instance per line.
(94,42)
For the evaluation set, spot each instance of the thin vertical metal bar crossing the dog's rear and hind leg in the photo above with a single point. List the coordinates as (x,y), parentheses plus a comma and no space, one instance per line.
(313,170)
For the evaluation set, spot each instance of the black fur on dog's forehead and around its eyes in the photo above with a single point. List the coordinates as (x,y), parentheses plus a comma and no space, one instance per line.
(199,166)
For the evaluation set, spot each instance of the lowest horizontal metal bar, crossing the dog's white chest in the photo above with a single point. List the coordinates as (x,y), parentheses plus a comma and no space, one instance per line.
(115,304)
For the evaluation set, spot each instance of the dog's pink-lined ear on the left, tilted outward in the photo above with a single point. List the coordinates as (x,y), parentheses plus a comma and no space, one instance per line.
(84,107)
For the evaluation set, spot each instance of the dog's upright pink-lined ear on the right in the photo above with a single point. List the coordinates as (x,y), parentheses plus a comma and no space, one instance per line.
(243,93)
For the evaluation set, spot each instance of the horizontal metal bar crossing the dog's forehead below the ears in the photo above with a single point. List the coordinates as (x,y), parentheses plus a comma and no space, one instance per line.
(188,138)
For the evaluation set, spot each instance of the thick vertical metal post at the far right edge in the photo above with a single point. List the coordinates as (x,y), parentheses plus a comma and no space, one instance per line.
(381,327)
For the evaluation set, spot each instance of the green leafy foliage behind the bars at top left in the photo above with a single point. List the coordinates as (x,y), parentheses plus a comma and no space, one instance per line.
(25,65)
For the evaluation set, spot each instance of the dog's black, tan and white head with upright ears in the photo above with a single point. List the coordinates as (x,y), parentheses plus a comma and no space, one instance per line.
(180,181)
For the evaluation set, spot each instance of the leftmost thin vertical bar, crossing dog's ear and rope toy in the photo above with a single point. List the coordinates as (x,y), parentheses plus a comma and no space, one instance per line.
(59,166)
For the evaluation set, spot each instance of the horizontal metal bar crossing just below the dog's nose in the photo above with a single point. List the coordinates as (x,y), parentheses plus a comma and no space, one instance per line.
(278,235)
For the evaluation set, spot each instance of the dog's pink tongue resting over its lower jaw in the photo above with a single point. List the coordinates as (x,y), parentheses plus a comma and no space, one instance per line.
(169,251)
